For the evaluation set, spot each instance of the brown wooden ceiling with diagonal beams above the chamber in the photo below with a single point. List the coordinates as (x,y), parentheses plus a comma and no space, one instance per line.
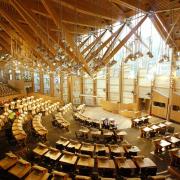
(46,23)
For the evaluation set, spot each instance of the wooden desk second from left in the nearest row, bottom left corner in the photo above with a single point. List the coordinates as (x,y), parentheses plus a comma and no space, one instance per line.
(21,168)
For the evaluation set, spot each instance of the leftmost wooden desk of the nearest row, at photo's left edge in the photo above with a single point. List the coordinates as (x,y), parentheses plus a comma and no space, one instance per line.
(8,161)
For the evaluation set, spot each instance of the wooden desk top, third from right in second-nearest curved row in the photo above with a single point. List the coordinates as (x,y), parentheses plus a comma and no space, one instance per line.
(105,164)
